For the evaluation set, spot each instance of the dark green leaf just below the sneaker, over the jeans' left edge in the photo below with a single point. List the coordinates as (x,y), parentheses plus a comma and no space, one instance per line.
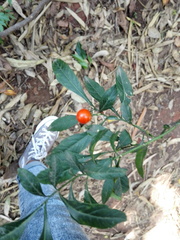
(30,182)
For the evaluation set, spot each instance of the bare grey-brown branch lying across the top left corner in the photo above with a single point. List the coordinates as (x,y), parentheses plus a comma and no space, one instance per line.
(25,21)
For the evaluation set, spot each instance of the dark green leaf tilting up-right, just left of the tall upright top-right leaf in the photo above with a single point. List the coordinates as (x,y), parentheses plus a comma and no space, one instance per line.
(108,99)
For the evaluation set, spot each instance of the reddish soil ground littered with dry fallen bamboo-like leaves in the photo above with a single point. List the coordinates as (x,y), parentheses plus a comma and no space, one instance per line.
(140,36)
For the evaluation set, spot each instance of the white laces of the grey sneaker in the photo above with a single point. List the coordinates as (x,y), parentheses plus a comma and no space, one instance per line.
(41,145)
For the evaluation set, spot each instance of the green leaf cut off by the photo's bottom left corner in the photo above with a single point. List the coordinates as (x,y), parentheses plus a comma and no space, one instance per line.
(14,230)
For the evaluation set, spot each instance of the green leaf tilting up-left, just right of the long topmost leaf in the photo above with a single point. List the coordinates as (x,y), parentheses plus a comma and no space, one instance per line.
(94,89)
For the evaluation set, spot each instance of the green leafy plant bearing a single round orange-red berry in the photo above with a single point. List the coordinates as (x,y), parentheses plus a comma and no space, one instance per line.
(67,161)
